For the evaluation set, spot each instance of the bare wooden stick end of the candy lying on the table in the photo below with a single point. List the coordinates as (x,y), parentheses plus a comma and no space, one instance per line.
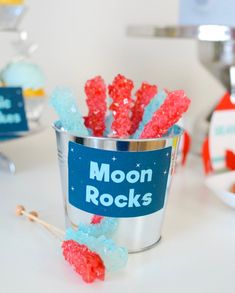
(33,216)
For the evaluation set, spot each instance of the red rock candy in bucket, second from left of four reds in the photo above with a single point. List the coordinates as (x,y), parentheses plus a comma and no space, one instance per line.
(120,92)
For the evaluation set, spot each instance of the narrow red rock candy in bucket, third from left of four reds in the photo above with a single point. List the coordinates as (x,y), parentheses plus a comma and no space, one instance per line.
(143,97)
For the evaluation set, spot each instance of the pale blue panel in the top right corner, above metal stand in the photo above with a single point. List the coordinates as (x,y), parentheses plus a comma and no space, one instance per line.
(195,12)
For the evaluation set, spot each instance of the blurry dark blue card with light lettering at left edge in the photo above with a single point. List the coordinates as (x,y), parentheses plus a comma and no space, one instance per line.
(12,111)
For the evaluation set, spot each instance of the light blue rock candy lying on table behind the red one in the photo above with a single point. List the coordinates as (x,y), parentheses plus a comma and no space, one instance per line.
(113,256)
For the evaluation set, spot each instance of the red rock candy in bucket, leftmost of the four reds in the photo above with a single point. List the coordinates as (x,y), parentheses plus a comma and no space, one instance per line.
(95,90)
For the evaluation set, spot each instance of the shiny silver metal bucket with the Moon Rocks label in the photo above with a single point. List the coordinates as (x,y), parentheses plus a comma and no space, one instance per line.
(127,179)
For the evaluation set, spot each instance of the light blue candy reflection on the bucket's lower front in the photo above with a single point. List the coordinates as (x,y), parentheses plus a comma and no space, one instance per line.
(107,227)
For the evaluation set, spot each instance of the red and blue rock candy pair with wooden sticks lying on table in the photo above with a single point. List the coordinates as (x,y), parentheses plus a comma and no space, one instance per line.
(89,256)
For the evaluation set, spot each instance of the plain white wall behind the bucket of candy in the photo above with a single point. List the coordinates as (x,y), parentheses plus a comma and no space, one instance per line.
(81,38)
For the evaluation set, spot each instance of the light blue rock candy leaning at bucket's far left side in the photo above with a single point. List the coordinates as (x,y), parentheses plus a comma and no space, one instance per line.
(64,103)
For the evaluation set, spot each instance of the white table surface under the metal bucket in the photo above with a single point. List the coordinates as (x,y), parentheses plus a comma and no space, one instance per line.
(196,253)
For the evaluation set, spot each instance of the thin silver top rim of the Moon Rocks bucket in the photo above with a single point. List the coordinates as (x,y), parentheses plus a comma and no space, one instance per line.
(176,131)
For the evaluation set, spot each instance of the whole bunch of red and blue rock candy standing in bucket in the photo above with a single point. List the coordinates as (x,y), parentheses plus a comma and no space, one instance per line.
(149,115)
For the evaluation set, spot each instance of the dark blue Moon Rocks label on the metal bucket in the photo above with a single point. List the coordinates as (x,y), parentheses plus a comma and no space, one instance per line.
(117,183)
